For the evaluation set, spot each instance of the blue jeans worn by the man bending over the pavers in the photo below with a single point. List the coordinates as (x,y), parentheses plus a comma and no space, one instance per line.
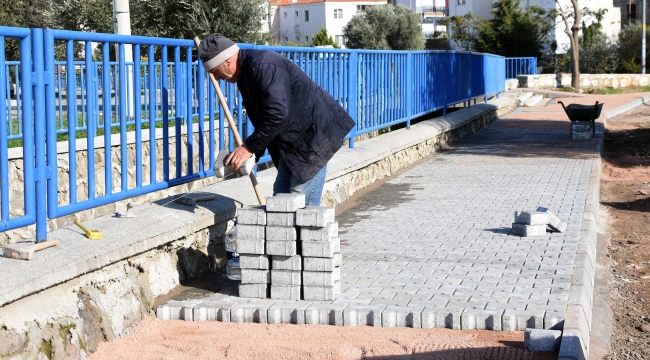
(285,182)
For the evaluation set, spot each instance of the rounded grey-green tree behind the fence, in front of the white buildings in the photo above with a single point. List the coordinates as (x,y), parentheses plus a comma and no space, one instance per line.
(384,28)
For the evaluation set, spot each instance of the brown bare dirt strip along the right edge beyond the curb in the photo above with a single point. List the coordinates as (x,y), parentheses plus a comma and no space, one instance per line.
(625,190)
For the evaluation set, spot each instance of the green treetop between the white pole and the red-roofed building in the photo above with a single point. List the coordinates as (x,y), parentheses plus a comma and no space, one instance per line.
(238,20)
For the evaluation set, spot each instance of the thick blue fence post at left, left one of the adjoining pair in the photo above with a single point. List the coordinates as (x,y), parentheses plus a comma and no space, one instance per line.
(39,121)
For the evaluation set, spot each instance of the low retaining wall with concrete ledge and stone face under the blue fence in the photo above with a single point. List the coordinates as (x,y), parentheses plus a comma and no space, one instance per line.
(73,296)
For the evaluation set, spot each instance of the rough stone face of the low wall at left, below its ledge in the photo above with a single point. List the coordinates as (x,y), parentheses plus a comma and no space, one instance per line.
(69,320)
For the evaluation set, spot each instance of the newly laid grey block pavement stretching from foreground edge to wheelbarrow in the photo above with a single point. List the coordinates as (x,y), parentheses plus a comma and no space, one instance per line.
(433,246)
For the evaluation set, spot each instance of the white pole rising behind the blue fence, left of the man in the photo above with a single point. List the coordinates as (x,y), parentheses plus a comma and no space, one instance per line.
(122,23)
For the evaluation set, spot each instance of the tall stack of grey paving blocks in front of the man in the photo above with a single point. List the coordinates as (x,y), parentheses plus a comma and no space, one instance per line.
(288,251)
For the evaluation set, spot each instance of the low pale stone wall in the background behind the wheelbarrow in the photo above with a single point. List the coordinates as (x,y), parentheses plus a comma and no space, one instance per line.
(542,81)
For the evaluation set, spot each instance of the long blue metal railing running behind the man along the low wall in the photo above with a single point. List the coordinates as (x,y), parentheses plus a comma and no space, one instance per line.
(164,93)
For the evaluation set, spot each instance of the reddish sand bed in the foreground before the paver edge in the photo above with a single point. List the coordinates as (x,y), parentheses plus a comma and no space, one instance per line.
(155,339)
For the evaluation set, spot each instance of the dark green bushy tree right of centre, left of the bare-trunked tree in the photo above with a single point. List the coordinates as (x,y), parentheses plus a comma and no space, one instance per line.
(513,31)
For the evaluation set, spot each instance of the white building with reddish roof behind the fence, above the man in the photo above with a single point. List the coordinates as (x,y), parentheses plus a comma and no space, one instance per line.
(299,20)
